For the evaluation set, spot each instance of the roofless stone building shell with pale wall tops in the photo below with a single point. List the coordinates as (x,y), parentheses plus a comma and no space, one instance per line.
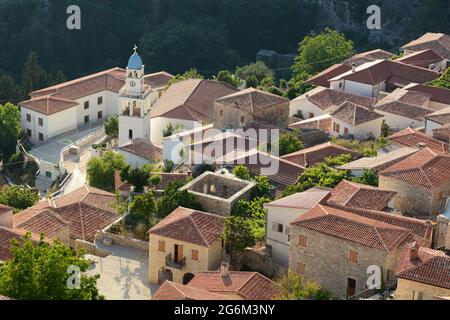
(218,193)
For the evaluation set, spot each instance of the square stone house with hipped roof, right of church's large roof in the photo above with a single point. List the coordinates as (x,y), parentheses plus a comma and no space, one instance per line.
(240,109)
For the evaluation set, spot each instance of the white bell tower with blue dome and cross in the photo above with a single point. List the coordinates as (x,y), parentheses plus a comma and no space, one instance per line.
(134,103)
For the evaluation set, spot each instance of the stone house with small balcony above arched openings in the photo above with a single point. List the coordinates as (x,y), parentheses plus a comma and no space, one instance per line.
(184,243)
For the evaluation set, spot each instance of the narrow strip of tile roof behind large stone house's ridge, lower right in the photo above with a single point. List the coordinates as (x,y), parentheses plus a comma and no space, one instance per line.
(418,227)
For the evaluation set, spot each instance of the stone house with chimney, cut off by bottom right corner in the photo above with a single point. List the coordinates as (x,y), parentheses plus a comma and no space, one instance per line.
(423,274)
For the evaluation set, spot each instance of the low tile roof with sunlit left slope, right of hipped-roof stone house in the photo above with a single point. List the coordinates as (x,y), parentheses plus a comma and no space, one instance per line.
(325,98)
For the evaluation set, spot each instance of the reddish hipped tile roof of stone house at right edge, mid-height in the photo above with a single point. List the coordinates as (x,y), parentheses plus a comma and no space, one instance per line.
(424,168)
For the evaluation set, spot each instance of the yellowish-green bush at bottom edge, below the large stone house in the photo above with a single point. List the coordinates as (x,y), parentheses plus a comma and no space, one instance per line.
(294,288)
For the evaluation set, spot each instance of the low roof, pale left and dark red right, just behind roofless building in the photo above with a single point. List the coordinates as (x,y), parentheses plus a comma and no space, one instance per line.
(257,161)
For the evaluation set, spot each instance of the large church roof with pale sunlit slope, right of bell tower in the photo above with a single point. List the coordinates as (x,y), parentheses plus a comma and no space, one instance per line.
(191,99)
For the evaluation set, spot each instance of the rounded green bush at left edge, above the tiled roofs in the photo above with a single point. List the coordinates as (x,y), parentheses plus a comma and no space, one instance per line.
(18,197)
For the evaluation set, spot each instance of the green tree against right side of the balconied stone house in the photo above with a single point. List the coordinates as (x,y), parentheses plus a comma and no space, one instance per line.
(237,235)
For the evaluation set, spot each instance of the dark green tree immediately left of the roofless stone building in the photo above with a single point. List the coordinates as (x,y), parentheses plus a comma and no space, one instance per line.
(172,198)
